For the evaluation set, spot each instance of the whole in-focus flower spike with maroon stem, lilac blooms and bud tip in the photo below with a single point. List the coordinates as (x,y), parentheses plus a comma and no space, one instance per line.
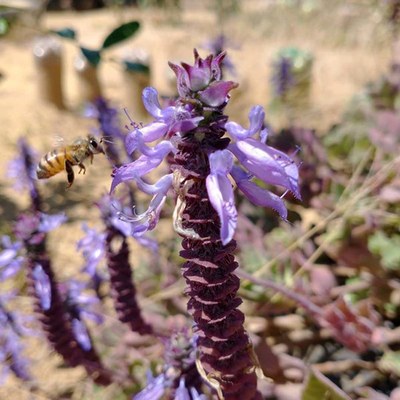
(205,214)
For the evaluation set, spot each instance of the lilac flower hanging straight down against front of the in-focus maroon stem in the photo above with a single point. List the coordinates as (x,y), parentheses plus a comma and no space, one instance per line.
(220,192)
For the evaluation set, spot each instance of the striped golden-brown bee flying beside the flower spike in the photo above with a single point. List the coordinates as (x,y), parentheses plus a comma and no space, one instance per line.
(65,157)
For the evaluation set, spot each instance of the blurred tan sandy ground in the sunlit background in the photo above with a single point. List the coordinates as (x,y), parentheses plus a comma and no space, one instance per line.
(350,46)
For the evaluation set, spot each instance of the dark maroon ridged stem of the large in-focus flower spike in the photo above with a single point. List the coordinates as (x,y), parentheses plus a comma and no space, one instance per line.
(224,346)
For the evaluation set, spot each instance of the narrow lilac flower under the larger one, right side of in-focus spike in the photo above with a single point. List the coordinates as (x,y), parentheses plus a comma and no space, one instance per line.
(257,195)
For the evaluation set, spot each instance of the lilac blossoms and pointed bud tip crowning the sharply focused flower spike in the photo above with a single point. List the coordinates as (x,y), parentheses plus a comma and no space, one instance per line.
(200,88)
